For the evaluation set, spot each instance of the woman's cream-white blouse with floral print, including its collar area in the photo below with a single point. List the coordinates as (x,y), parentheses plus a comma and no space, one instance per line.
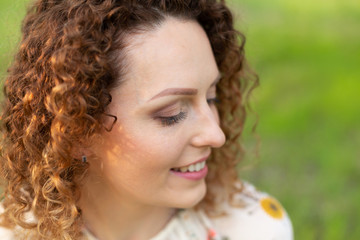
(261,218)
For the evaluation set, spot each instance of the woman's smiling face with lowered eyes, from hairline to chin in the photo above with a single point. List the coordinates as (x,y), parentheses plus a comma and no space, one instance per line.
(166,118)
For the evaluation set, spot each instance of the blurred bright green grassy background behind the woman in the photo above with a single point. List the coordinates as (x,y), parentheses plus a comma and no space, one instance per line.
(307,54)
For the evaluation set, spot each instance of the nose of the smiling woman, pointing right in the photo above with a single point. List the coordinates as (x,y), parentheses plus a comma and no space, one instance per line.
(207,131)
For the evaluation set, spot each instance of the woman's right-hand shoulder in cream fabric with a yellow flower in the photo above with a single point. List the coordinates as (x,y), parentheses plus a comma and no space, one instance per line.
(260,217)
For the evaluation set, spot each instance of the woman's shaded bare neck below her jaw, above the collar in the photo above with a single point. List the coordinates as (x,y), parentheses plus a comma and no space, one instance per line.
(109,216)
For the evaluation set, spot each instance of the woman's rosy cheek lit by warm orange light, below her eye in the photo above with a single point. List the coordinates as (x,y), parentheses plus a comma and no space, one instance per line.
(142,151)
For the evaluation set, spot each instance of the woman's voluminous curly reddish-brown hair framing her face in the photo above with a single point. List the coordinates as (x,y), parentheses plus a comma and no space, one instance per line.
(57,92)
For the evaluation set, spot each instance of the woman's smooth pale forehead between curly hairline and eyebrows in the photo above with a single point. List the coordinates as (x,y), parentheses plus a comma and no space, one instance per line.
(177,54)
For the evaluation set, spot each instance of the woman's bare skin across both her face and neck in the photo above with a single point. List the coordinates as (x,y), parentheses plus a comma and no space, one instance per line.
(130,185)
